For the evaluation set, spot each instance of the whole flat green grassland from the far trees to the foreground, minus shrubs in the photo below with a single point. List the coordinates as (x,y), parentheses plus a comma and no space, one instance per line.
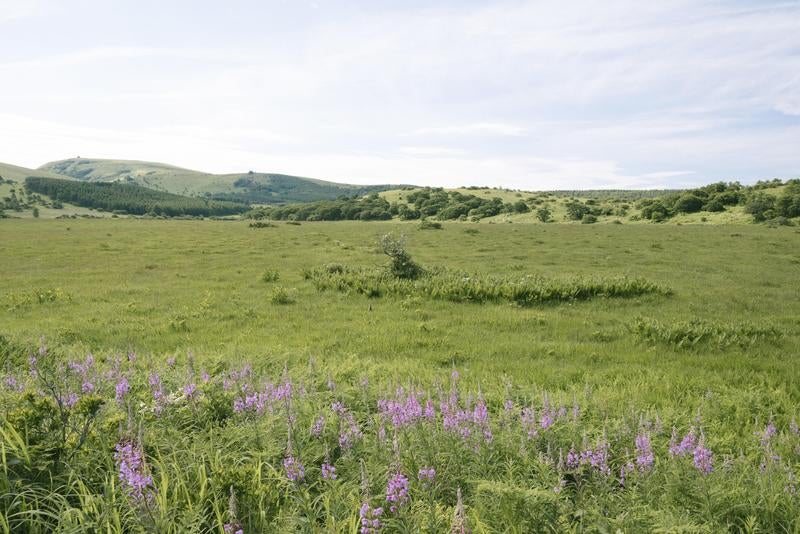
(717,354)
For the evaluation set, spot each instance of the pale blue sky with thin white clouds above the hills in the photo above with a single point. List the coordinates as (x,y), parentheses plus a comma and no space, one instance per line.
(566,94)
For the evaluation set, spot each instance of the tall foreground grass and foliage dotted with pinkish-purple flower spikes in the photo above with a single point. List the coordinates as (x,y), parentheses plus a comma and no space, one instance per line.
(215,444)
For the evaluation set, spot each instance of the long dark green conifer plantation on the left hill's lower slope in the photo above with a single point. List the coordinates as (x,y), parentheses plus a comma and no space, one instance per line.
(131,199)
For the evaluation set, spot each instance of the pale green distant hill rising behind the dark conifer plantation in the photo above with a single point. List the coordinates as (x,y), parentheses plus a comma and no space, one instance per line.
(251,187)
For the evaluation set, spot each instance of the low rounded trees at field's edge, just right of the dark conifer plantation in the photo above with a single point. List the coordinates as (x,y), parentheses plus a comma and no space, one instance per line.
(369,208)
